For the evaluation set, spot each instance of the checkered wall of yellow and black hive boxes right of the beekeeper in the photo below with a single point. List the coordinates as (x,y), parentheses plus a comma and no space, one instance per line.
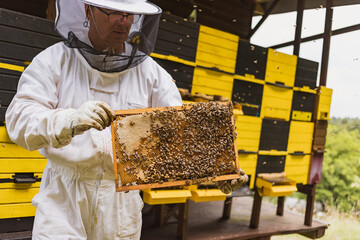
(277,92)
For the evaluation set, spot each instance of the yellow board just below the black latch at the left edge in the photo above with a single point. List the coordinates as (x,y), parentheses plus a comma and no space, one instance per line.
(18,195)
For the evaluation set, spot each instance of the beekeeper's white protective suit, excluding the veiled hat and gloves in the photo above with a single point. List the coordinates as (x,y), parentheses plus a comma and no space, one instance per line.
(77,198)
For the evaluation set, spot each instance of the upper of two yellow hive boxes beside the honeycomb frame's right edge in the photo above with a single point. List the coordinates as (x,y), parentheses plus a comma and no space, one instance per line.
(248,130)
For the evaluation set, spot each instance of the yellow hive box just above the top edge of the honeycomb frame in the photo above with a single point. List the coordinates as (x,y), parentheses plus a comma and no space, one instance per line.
(212,82)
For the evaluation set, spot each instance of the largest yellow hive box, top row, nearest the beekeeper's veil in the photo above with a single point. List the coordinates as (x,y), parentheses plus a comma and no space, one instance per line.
(217,49)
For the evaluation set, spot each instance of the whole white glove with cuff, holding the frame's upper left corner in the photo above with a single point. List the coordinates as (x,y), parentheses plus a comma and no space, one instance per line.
(91,114)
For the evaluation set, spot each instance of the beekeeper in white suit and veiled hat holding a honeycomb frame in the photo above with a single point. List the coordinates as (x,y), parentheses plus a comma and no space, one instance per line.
(63,107)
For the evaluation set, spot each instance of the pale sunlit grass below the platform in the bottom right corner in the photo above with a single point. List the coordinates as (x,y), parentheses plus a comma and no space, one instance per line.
(342,227)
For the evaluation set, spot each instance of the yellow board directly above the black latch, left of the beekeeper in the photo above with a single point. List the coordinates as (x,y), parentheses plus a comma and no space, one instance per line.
(18,165)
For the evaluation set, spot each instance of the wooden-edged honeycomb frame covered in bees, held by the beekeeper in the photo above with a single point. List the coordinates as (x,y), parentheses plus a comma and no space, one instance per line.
(174,146)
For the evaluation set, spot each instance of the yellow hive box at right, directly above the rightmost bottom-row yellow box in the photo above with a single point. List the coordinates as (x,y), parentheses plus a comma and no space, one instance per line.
(300,137)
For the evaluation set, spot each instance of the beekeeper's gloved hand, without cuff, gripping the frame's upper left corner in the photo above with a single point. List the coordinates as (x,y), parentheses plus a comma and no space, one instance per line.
(92,114)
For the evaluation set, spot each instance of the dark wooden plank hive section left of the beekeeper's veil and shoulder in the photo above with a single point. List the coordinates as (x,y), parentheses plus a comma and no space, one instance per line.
(22,38)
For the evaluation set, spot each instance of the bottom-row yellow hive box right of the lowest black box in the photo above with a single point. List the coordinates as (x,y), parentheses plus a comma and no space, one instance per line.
(297,168)
